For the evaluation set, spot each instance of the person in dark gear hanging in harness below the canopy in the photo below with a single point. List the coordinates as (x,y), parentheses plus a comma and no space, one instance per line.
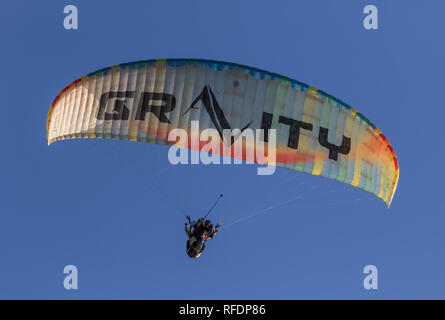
(202,231)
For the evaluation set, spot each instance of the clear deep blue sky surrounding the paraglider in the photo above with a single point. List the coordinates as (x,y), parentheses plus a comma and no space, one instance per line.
(110,207)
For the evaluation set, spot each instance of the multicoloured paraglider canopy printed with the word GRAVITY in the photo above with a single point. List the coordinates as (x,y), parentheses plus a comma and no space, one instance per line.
(142,101)
